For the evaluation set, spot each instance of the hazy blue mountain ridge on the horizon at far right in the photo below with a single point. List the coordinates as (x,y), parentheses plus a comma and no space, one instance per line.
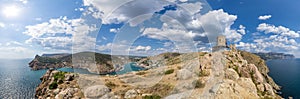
(273,55)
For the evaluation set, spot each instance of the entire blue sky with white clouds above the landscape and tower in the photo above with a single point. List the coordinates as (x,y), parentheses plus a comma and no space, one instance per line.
(146,27)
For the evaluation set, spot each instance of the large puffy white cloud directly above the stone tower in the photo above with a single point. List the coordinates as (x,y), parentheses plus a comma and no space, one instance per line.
(217,22)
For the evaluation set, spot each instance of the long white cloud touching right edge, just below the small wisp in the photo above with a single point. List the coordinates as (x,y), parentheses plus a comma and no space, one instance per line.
(281,30)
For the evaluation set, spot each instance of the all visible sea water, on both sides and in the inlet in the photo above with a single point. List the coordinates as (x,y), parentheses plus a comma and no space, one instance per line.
(19,82)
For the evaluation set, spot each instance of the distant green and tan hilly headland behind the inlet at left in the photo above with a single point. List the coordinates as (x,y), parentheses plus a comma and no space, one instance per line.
(93,62)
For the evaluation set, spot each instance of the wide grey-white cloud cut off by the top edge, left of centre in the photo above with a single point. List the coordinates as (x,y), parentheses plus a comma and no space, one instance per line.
(113,11)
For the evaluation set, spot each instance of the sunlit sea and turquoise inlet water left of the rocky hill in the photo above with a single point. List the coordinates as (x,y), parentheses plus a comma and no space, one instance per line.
(19,82)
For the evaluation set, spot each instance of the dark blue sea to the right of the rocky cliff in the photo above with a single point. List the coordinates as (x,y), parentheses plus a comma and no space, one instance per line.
(286,73)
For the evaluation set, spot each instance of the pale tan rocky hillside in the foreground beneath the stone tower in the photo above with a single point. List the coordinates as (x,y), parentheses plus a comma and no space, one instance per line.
(219,75)
